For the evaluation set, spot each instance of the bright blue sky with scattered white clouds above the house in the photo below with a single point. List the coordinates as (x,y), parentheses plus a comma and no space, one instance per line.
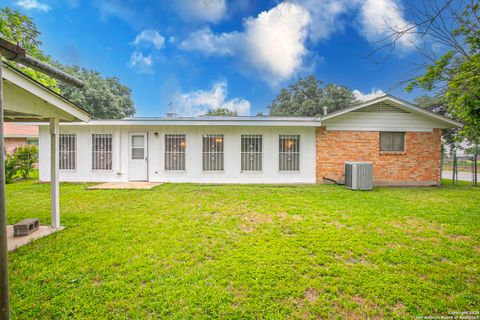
(204,54)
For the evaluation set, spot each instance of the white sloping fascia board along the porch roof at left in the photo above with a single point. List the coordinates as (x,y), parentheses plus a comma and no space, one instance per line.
(29,85)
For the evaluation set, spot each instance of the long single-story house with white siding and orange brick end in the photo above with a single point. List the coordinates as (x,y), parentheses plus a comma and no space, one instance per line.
(402,140)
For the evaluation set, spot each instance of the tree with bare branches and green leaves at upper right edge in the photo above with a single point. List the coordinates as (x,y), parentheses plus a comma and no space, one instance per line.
(446,35)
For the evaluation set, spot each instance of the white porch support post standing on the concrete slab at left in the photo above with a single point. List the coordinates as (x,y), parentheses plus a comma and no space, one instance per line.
(54,177)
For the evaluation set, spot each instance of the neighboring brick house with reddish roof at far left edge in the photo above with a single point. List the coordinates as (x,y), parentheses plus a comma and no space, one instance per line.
(19,135)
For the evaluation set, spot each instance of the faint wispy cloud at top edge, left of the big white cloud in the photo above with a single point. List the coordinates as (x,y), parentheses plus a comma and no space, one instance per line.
(202,10)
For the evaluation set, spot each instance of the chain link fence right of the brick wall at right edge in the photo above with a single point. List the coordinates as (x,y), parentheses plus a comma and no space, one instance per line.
(461,168)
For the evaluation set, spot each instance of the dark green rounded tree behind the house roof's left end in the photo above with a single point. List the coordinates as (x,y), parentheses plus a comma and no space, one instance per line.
(105,98)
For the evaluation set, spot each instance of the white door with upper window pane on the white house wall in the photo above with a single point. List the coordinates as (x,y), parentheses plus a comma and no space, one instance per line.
(138,156)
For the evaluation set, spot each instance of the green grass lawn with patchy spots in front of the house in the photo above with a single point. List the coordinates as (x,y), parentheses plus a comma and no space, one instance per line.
(205,251)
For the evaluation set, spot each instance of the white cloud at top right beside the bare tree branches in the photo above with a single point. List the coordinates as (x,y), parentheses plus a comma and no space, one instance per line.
(380,18)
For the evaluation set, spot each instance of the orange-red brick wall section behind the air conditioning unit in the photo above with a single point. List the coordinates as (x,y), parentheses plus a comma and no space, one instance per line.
(419,164)
